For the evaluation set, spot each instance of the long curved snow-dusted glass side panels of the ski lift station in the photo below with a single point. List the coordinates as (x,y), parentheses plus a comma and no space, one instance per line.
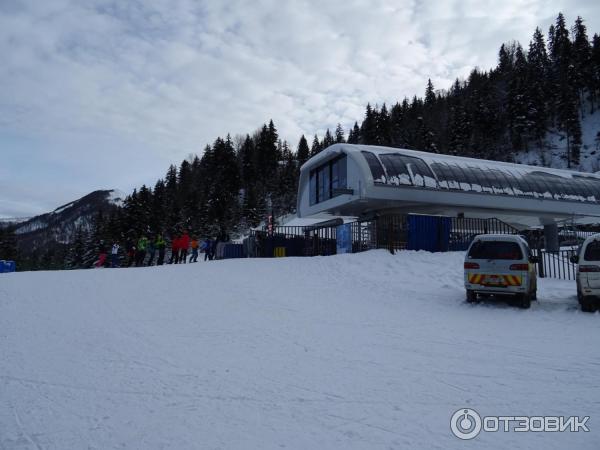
(396,169)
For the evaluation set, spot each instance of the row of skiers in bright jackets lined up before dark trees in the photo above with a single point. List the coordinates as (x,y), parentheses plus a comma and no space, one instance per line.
(137,252)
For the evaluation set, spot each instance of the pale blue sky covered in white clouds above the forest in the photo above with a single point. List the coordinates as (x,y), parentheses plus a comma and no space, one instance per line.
(106,94)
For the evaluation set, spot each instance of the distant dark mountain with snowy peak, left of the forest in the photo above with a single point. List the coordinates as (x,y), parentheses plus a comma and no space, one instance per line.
(59,226)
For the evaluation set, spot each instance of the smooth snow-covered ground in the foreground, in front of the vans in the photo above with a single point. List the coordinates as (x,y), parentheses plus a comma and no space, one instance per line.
(364,351)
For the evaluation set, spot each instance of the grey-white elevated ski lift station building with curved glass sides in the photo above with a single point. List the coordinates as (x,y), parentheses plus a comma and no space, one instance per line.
(362,180)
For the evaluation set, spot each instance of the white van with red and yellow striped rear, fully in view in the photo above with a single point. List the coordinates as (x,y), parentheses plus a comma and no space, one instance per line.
(500,264)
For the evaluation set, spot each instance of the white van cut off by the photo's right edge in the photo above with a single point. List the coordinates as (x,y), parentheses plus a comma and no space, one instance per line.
(588,273)
